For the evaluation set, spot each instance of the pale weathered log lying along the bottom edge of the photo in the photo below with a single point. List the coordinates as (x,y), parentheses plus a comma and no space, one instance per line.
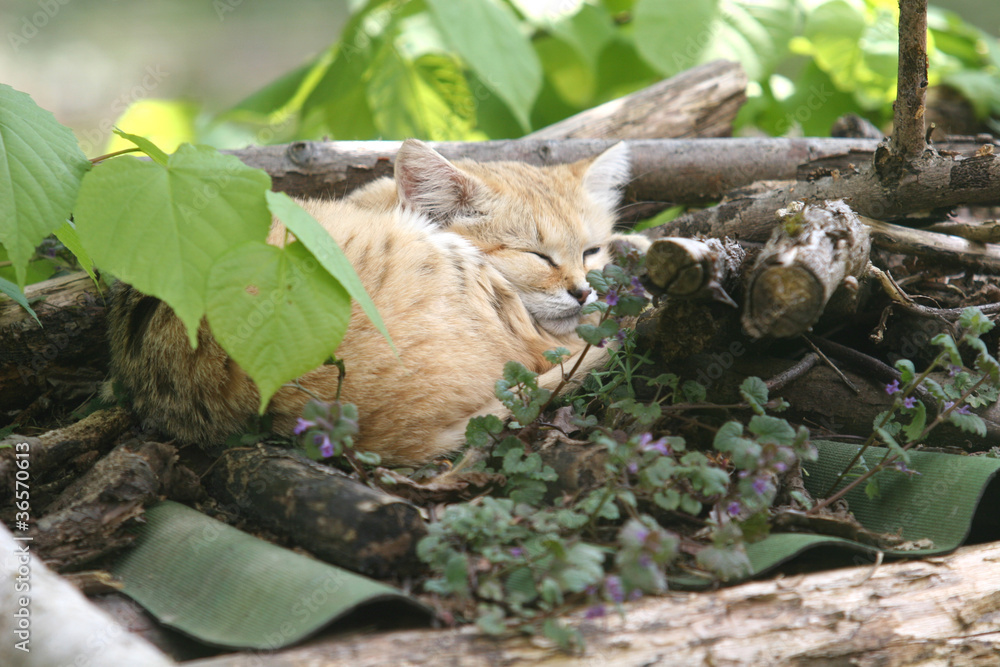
(939,611)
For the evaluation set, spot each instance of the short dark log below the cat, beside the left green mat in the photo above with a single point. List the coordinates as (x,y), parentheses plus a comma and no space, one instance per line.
(319,508)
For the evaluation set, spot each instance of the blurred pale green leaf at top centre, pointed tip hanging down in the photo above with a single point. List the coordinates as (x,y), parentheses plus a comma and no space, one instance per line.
(486,35)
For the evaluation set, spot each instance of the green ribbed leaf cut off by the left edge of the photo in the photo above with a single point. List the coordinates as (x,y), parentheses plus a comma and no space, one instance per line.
(41,167)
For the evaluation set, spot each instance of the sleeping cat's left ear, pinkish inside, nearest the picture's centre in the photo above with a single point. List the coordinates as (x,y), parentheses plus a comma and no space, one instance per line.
(428,183)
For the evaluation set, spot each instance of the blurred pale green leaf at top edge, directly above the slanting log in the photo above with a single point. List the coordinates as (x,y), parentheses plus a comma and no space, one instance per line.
(671,36)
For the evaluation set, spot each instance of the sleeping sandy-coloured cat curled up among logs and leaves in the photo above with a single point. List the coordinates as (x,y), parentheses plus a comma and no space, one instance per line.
(469,264)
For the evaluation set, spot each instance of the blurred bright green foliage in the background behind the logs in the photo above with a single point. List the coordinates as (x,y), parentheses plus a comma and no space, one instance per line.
(478,69)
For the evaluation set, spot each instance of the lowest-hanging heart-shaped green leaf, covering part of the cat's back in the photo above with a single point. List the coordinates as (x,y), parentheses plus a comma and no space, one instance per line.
(275,312)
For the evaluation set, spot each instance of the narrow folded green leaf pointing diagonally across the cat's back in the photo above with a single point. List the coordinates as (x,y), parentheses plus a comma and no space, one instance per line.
(325,249)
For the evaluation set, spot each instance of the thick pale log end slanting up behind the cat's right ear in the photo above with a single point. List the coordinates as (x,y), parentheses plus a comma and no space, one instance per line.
(699,102)
